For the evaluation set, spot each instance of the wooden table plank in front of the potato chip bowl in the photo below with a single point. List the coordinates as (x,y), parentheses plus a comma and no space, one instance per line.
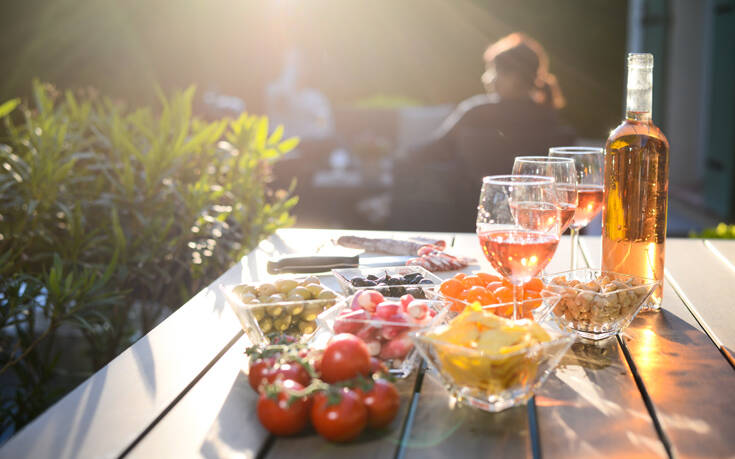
(442,430)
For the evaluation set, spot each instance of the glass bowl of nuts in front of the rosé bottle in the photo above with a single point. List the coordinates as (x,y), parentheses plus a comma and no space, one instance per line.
(596,304)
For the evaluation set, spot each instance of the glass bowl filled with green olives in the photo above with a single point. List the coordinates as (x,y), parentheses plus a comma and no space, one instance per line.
(280,306)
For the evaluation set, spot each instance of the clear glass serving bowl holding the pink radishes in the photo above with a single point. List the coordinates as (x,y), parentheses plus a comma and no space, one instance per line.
(387,340)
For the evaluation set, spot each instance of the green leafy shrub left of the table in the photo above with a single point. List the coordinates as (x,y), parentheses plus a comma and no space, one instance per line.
(110,217)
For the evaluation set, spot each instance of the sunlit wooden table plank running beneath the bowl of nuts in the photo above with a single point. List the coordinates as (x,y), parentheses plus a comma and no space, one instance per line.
(590,406)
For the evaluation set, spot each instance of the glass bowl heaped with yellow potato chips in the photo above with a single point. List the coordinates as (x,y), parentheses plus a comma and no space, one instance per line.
(490,362)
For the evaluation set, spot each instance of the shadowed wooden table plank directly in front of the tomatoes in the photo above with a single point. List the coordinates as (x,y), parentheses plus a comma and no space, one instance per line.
(370,444)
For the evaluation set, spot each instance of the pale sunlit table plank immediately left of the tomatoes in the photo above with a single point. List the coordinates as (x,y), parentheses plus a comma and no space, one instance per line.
(216,418)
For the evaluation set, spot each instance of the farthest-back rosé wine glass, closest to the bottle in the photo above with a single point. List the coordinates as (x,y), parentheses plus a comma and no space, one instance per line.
(589,163)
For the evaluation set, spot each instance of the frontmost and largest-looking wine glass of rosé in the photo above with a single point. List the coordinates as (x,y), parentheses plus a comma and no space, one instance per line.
(518,225)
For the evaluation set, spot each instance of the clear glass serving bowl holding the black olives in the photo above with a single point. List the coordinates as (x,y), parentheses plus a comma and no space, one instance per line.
(429,282)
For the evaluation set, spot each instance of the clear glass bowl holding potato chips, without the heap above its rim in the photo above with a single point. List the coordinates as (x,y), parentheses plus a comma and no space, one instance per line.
(492,381)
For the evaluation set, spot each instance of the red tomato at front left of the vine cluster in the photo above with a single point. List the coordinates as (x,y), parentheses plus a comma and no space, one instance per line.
(280,414)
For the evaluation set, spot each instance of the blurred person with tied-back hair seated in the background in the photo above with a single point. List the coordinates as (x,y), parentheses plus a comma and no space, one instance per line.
(518,115)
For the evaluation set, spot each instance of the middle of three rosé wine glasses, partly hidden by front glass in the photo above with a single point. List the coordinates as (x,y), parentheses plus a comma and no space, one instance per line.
(565,177)
